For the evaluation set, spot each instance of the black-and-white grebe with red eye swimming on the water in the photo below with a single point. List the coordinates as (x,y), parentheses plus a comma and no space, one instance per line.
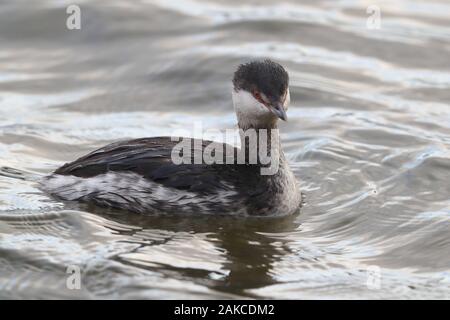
(140,176)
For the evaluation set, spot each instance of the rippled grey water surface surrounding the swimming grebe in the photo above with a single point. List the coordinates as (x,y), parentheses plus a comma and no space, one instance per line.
(368,137)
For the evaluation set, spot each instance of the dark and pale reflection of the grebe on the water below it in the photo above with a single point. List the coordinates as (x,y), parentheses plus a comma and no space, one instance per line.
(234,254)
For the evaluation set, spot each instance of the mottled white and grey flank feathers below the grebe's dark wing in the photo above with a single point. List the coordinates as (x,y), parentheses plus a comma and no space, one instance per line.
(133,192)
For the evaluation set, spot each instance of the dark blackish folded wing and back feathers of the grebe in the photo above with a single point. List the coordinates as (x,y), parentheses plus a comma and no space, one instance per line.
(151,158)
